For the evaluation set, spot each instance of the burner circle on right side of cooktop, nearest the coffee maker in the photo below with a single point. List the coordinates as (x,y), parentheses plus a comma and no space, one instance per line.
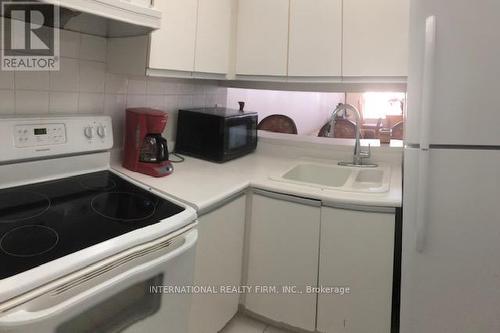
(123,206)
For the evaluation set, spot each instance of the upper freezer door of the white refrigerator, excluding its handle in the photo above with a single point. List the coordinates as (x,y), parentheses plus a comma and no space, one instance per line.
(466,76)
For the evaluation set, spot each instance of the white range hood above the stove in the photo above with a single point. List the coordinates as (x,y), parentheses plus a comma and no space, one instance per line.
(108,18)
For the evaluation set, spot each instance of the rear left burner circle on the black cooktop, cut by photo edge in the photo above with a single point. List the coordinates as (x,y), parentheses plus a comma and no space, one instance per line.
(22,205)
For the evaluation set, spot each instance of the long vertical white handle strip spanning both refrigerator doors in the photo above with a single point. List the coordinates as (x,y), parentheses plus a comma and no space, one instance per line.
(427,102)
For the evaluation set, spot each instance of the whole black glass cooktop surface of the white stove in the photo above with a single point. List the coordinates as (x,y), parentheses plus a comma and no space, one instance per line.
(46,221)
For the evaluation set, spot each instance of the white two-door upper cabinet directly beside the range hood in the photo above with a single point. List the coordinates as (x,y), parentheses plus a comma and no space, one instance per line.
(195,36)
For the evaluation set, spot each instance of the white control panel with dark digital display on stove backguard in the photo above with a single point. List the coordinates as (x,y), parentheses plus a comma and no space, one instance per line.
(39,135)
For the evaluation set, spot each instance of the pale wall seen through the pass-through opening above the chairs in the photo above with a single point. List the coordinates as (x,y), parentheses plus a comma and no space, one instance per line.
(309,110)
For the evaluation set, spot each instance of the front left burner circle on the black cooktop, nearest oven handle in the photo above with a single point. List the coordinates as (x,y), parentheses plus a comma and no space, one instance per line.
(29,241)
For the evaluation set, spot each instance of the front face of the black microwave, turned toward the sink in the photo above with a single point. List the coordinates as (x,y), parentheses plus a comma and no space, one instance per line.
(240,136)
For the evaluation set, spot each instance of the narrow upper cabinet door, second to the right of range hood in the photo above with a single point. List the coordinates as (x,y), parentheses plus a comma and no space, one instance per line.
(213,36)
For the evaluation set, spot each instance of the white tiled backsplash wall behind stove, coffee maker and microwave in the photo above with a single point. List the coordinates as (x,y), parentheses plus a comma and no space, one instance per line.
(83,85)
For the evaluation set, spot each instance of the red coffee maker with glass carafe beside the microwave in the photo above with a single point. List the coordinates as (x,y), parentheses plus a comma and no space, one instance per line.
(146,150)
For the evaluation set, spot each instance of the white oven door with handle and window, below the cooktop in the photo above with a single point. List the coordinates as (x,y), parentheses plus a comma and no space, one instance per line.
(128,292)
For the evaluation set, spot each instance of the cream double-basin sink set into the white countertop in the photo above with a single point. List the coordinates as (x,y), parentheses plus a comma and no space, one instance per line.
(331,176)
